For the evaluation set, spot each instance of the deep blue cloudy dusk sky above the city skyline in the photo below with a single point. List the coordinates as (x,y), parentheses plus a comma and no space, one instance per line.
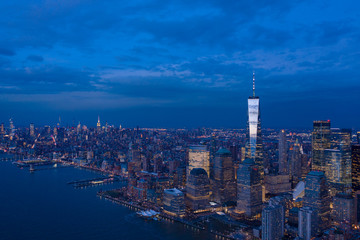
(180,63)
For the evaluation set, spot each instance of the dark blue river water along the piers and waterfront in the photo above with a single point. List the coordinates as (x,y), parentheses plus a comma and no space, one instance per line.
(41,205)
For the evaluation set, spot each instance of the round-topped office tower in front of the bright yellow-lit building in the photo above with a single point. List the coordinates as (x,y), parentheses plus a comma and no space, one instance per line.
(198,189)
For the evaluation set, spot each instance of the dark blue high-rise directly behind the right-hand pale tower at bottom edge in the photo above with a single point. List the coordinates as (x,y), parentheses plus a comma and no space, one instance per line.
(317,197)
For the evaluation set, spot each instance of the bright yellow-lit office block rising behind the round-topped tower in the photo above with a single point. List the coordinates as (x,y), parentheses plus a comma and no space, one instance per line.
(199,157)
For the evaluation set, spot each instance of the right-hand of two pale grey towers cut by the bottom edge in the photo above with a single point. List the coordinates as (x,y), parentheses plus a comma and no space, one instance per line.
(307,223)
